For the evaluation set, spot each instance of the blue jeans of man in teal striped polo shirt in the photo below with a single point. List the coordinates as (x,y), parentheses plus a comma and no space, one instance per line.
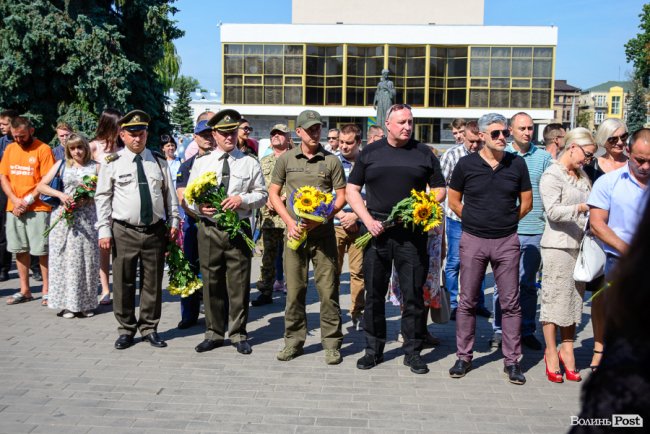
(529,261)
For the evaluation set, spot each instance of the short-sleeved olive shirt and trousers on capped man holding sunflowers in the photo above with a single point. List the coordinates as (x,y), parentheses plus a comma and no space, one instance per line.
(323,171)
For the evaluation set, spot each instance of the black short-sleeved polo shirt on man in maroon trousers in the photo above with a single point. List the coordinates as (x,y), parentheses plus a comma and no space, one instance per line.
(491,197)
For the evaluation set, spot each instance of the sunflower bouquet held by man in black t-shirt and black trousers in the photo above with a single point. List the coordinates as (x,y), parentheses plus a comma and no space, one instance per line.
(420,209)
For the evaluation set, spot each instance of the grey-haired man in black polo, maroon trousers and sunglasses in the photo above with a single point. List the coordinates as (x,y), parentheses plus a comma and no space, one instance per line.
(490,191)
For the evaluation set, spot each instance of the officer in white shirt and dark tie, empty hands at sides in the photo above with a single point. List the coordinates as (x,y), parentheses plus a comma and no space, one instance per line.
(134,198)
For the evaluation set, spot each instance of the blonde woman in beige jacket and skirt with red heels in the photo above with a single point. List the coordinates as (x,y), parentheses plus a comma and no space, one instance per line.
(564,188)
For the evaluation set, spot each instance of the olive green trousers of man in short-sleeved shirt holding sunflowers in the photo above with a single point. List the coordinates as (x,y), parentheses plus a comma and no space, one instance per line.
(323,254)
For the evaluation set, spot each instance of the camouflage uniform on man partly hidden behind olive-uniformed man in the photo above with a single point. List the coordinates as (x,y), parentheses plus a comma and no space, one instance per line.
(272,233)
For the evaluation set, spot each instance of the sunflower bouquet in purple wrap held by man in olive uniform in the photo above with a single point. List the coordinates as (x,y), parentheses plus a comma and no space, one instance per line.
(311,204)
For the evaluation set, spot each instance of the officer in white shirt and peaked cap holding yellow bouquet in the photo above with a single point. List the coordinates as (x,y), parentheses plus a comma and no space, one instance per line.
(226,263)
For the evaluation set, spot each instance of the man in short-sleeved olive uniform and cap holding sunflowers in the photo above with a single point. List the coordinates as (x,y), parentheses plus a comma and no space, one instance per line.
(310,164)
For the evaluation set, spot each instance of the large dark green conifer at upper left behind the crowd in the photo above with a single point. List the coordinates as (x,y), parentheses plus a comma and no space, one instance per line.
(70,59)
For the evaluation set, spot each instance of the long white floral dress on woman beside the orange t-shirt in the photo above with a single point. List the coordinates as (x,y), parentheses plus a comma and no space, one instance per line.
(74,251)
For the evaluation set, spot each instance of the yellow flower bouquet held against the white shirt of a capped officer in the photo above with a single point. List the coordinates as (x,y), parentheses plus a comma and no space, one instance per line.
(205,189)
